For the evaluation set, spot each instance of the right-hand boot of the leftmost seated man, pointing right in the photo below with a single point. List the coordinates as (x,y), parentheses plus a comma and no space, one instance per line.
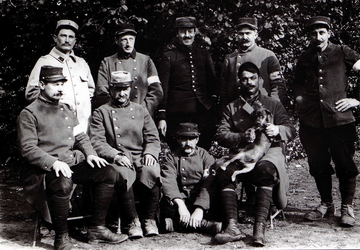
(97,234)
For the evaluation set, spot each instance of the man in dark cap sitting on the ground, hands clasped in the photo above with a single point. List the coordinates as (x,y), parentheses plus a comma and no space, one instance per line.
(183,171)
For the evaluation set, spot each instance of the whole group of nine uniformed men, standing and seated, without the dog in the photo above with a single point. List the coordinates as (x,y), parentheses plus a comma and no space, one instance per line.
(108,134)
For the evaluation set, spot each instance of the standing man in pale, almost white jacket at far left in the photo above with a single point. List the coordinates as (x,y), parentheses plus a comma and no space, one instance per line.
(79,87)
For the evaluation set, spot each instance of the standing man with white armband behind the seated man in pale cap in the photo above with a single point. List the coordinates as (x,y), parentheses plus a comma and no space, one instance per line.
(146,89)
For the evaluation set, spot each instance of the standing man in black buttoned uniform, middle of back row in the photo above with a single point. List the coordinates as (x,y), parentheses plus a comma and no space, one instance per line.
(189,82)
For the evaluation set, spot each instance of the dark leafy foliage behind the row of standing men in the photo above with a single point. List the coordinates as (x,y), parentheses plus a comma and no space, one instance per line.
(27,25)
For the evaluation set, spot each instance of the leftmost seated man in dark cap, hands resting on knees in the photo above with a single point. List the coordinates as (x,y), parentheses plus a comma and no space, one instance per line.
(59,154)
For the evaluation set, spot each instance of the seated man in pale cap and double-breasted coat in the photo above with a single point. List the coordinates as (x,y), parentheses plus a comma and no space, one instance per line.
(124,133)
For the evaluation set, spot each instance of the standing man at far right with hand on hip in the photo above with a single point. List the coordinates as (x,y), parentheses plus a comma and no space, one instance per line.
(327,128)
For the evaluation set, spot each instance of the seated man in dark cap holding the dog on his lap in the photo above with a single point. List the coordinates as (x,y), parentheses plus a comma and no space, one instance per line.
(268,175)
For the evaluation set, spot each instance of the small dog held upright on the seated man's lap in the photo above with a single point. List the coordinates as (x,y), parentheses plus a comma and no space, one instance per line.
(249,155)
